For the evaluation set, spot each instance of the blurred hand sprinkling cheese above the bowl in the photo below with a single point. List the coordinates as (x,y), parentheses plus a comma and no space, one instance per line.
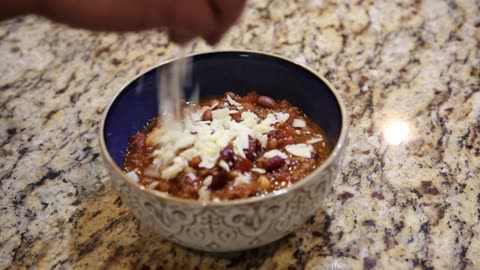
(184,19)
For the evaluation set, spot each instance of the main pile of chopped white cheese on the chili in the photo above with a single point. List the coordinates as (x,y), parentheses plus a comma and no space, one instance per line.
(193,137)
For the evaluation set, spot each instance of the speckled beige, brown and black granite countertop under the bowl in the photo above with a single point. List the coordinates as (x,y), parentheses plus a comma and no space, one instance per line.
(409,193)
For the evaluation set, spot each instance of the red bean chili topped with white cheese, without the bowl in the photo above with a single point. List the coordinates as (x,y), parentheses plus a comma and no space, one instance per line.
(227,148)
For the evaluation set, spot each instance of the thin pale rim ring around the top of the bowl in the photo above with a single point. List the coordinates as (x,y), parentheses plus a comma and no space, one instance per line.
(165,196)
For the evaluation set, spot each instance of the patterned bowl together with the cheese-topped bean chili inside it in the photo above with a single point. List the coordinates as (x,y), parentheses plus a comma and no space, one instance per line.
(242,168)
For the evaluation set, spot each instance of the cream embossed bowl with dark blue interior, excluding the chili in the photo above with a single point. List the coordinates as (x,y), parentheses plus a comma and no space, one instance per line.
(238,224)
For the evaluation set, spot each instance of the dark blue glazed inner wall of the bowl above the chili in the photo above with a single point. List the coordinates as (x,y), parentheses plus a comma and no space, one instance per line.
(216,73)
